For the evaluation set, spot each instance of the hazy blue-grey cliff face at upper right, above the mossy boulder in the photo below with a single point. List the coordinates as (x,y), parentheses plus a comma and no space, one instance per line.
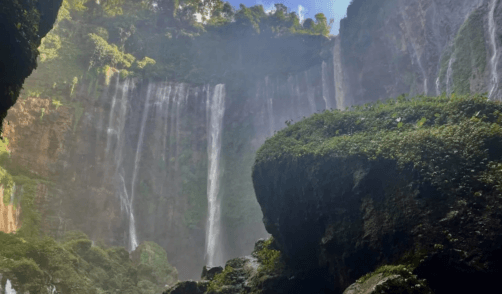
(419,47)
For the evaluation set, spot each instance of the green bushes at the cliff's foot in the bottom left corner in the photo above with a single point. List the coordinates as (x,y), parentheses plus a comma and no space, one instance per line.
(74,265)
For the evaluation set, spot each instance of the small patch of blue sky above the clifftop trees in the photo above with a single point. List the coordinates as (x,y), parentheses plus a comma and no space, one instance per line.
(336,9)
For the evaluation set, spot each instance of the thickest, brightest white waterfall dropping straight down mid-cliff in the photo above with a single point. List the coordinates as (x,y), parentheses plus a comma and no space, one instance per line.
(216,111)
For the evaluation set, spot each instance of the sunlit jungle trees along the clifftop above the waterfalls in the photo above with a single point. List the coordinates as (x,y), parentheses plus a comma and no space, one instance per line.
(165,39)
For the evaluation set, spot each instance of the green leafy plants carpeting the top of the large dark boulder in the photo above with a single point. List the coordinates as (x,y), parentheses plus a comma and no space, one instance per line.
(447,139)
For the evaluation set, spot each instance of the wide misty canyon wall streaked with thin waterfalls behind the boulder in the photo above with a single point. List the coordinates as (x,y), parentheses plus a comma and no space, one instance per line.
(128,159)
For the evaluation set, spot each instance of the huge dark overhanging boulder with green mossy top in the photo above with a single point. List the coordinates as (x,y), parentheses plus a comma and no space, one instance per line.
(386,182)
